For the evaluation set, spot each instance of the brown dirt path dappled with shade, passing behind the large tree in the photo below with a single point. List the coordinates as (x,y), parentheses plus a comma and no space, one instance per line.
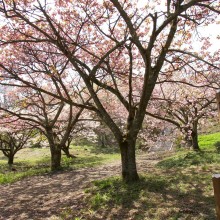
(42,197)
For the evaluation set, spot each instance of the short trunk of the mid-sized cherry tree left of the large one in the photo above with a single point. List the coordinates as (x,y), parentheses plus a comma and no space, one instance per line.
(55,158)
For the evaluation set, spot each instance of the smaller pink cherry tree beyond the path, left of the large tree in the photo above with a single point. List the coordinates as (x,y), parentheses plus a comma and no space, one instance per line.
(52,117)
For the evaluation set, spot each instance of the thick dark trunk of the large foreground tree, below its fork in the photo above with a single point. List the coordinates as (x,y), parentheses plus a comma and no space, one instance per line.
(129,169)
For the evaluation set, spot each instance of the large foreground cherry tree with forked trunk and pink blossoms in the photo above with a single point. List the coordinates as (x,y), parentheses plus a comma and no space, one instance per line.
(110,45)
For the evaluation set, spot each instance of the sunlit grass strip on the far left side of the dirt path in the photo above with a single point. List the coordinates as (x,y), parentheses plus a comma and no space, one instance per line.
(35,161)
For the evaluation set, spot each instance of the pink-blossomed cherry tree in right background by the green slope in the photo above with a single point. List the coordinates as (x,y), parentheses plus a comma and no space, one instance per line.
(185,107)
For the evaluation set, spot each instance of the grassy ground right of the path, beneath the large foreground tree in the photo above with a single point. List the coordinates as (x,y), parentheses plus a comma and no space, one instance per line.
(178,187)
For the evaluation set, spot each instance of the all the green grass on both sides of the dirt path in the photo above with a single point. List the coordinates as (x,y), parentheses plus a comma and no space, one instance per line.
(178,187)
